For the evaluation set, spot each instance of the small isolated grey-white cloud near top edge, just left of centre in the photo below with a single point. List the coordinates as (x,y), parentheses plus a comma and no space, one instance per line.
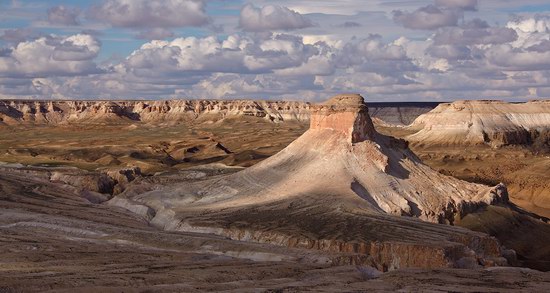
(271,18)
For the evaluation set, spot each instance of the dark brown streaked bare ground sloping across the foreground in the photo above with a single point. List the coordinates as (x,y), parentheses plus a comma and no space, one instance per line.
(51,240)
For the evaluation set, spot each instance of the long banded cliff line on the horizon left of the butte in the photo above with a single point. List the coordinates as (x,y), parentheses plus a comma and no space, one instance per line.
(60,112)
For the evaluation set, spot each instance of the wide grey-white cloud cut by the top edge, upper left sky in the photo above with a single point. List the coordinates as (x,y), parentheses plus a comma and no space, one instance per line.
(150,14)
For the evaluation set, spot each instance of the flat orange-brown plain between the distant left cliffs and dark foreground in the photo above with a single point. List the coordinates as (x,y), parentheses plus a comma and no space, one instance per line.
(152,148)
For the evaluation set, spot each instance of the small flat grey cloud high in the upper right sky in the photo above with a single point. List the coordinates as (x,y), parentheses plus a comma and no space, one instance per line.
(427,18)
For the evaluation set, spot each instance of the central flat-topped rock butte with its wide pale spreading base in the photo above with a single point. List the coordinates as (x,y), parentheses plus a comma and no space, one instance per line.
(340,187)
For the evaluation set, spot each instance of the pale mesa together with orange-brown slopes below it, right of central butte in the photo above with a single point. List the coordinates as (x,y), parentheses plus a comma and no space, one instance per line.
(490,141)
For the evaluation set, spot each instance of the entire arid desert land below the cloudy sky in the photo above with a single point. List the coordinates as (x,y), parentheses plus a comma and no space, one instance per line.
(282,196)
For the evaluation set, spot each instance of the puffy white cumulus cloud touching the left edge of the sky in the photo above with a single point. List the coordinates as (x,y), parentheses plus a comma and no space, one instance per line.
(51,56)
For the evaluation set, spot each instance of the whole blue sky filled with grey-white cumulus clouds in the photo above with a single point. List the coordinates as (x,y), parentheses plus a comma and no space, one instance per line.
(386,50)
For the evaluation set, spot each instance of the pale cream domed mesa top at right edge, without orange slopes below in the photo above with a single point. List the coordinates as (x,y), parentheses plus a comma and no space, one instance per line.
(494,123)
